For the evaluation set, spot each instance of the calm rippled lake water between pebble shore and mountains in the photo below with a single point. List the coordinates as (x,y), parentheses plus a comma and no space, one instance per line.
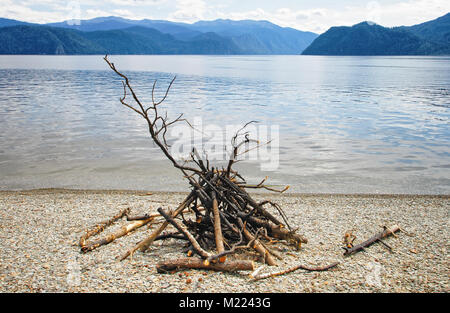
(346,124)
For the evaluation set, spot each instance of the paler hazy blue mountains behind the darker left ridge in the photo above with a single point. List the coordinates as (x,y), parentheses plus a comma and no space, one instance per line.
(252,37)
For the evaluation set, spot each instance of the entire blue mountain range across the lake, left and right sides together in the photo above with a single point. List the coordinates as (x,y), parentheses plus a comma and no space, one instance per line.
(115,35)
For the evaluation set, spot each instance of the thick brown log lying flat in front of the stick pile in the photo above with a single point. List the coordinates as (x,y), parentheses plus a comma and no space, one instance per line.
(197,263)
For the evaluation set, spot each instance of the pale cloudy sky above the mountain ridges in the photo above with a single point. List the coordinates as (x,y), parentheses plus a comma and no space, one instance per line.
(316,16)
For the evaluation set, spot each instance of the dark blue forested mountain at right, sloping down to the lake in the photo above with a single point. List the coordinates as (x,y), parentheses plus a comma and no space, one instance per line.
(430,38)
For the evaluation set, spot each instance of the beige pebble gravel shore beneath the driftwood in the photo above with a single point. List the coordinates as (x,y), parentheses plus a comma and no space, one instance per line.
(40,229)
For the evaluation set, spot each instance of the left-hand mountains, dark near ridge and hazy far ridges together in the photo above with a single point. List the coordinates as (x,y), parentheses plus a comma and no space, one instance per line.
(115,35)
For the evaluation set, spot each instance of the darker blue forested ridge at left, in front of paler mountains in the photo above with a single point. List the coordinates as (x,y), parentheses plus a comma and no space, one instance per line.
(133,40)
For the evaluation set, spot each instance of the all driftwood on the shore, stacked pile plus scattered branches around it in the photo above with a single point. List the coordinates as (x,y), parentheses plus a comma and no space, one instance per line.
(222,225)
